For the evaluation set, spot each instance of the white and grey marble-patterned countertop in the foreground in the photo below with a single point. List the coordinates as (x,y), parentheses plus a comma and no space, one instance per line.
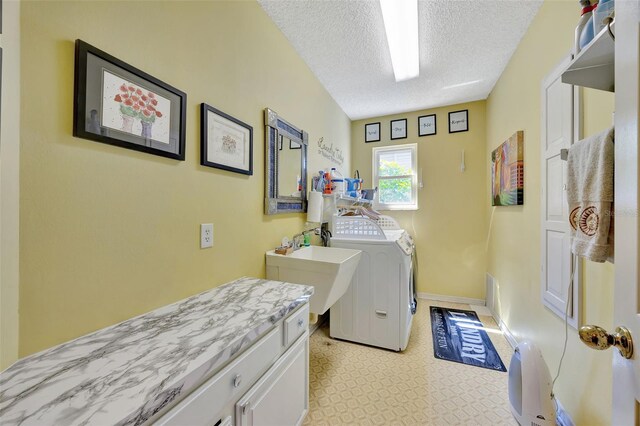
(126,373)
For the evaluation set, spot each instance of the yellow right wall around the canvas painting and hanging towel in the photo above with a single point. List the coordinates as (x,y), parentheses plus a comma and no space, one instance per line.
(514,232)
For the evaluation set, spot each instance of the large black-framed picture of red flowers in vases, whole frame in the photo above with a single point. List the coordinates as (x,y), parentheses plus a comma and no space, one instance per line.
(117,104)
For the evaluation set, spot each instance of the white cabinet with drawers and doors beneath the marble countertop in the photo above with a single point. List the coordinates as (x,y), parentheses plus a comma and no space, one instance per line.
(267,384)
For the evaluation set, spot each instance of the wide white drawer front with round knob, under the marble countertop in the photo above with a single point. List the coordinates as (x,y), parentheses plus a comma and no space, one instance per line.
(203,406)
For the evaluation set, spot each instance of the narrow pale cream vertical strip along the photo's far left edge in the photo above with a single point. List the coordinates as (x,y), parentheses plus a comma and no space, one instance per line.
(9,183)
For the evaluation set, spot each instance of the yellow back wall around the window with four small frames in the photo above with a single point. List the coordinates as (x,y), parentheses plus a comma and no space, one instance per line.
(450,224)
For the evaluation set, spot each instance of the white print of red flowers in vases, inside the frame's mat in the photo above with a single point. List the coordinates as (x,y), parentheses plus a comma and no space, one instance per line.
(132,109)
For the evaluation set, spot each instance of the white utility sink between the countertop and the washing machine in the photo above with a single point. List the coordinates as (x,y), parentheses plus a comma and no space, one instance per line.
(328,269)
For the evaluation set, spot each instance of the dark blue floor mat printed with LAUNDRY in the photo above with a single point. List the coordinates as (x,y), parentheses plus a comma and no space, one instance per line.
(459,336)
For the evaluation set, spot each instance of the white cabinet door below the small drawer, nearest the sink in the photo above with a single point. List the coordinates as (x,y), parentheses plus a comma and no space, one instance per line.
(281,396)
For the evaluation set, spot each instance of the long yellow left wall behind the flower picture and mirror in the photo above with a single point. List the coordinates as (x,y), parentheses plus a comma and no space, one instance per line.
(107,233)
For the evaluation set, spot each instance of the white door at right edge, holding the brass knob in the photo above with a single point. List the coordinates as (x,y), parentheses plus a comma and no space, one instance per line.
(626,373)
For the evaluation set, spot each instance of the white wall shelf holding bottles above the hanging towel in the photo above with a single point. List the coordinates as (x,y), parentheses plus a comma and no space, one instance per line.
(594,65)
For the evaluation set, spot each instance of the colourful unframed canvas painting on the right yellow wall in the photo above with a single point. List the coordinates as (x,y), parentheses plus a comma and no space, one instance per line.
(507,172)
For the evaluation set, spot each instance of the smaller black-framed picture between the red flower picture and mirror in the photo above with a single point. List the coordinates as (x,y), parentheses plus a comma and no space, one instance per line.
(225,142)
